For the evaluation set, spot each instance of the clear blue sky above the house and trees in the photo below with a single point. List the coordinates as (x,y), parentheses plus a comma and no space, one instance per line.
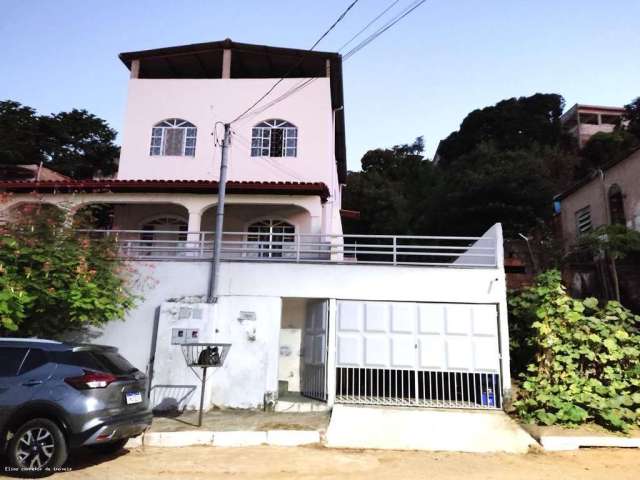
(420,78)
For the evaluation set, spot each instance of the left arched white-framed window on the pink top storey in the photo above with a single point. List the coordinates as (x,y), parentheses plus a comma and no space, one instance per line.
(175,137)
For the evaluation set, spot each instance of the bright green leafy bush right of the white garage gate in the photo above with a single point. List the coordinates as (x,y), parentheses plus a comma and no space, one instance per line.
(586,358)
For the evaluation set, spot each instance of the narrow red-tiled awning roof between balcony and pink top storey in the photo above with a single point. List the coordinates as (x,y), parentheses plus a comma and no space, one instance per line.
(166,186)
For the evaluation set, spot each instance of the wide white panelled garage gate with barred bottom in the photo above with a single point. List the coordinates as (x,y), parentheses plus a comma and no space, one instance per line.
(418,354)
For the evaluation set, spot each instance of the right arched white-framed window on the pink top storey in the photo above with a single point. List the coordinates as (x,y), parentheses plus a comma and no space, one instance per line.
(274,138)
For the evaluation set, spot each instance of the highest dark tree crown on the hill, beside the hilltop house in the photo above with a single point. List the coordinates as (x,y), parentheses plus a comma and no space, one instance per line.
(512,124)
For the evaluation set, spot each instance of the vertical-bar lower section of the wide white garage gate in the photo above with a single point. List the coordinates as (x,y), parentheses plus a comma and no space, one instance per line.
(422,388)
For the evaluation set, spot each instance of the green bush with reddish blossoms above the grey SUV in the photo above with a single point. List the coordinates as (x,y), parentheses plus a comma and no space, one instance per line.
(55,280)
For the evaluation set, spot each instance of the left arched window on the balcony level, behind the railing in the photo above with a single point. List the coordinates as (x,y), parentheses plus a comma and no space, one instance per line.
(164,234)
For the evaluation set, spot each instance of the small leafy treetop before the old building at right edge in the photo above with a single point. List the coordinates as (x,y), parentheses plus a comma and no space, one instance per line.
(617,241)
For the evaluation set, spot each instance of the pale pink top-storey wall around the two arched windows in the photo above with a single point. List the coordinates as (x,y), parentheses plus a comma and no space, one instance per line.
(205,102)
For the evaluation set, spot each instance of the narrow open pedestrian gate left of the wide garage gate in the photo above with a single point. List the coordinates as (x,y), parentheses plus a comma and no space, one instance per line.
(314,351)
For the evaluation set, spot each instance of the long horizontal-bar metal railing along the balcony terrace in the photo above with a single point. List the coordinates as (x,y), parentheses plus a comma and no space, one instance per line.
(302,248)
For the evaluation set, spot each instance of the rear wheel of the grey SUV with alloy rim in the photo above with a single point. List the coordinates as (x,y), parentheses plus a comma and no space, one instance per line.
(37,447)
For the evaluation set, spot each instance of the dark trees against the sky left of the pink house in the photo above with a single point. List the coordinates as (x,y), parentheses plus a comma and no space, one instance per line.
(75,143)
